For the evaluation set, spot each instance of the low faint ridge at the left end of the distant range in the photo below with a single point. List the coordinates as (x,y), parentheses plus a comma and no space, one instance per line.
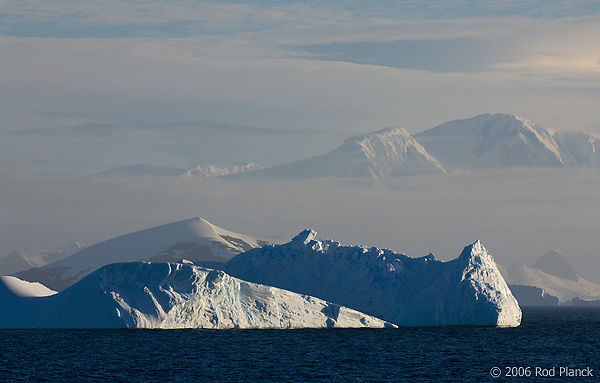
(205,171)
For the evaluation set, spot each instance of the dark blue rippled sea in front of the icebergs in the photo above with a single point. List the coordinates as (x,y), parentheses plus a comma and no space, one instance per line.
(564,342)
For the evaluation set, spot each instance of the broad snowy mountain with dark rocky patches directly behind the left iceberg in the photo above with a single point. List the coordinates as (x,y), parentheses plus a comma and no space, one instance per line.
(193,239)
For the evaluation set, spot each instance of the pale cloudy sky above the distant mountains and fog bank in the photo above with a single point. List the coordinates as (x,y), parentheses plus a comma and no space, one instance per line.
(88,86)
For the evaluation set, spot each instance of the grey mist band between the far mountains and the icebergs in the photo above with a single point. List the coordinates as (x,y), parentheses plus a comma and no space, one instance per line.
(518,214)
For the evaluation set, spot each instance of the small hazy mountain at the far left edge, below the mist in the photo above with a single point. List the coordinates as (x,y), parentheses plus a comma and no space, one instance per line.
(20,259)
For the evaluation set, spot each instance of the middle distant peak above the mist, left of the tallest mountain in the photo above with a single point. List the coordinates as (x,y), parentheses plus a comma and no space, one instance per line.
(387,152)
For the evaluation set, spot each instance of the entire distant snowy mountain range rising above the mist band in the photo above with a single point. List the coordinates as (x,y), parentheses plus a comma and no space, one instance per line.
(482,142)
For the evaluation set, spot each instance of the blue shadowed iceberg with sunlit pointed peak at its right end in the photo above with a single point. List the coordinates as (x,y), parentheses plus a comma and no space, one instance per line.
(402,290)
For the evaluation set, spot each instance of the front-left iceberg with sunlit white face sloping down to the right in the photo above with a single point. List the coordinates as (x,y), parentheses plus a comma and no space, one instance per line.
(174,295)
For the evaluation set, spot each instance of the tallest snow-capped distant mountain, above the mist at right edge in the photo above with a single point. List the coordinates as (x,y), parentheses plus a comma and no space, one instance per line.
(504,140)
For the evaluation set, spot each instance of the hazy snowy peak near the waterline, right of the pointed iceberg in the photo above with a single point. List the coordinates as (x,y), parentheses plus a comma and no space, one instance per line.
(553,274)
